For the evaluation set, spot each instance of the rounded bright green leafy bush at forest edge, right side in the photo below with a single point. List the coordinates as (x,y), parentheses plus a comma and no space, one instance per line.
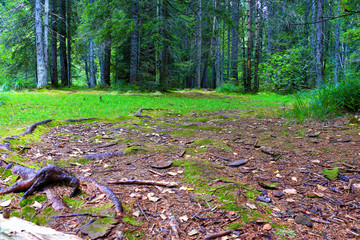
(285,72)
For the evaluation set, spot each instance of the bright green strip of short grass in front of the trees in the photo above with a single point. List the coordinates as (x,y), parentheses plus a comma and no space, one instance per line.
(19,109)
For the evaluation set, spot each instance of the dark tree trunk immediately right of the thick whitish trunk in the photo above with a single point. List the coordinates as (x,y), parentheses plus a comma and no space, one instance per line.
(53,51)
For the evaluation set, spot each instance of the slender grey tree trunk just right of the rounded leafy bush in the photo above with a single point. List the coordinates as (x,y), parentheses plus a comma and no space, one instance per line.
(319,43)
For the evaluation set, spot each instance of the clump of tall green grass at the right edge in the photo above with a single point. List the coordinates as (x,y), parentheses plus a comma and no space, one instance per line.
(328,101)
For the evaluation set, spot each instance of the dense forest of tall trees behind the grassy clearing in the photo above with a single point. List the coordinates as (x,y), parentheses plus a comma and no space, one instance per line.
(147,45)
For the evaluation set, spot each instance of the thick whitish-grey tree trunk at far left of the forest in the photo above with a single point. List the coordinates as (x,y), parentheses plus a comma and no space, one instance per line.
(40,58)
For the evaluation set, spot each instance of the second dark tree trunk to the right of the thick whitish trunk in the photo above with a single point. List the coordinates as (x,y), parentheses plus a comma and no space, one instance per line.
(62,47)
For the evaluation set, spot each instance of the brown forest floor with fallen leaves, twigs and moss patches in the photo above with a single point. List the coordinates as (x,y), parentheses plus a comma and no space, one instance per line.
(259,176)
